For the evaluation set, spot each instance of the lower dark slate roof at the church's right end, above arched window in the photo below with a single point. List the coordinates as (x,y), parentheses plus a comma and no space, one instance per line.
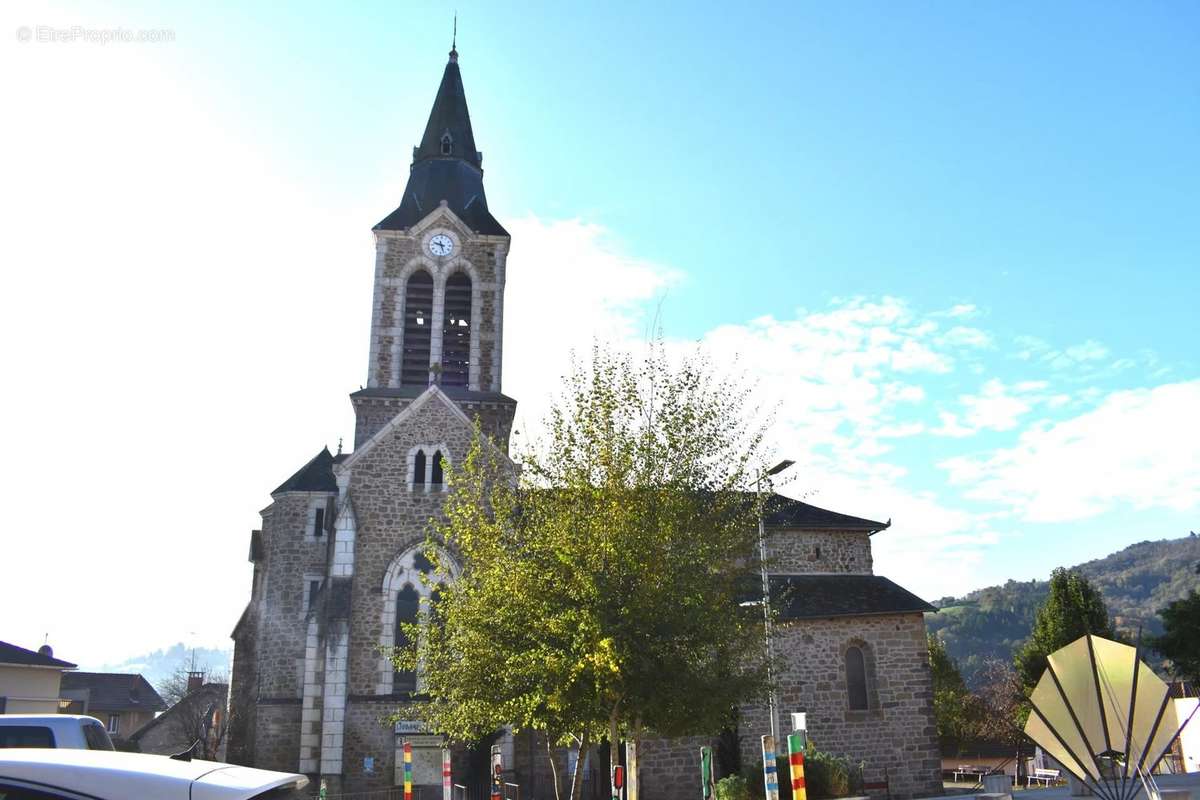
(814,597)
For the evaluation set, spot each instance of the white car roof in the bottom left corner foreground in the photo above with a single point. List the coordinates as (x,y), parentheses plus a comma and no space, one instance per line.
(34,774)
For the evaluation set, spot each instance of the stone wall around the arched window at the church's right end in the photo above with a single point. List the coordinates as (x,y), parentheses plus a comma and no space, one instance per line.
(897,735)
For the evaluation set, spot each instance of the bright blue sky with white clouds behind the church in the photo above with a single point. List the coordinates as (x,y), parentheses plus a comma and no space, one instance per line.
(957,244)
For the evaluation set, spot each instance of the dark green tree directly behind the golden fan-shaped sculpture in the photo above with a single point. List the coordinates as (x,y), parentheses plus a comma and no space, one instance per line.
(1072,609)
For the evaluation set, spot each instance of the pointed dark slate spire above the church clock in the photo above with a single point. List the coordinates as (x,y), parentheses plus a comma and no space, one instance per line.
(446,165)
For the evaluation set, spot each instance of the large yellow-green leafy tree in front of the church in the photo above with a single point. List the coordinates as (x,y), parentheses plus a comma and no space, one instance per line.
(599,586)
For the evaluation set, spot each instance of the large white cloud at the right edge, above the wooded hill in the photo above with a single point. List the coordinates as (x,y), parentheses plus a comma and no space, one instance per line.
(1137,449)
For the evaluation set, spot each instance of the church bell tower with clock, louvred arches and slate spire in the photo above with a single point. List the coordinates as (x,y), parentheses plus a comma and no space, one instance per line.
(439,302)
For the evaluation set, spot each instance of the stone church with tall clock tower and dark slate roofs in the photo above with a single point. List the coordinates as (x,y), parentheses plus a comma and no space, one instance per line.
(338,562)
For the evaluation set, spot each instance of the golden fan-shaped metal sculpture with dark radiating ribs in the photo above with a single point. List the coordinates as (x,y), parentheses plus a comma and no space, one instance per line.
(1105,715)
